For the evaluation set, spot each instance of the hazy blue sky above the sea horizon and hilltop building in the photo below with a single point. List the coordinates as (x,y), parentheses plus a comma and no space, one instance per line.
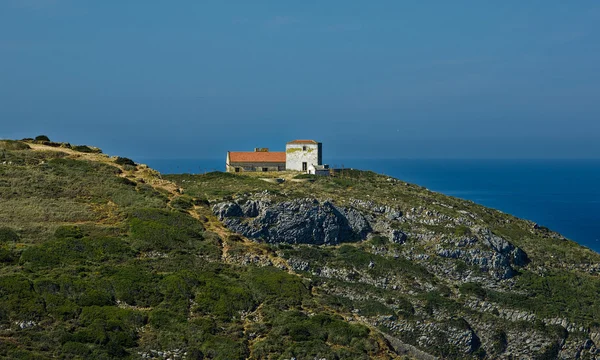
(369,79)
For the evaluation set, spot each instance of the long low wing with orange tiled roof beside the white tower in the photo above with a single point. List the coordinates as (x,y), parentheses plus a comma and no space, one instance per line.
(257,160)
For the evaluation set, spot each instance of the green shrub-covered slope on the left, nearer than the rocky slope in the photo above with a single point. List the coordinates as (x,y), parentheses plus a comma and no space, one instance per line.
(101,260)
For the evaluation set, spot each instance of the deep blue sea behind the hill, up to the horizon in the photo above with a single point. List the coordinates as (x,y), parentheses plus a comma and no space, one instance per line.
(563,195)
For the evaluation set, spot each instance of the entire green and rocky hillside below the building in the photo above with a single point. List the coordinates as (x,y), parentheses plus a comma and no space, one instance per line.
(103,258)
